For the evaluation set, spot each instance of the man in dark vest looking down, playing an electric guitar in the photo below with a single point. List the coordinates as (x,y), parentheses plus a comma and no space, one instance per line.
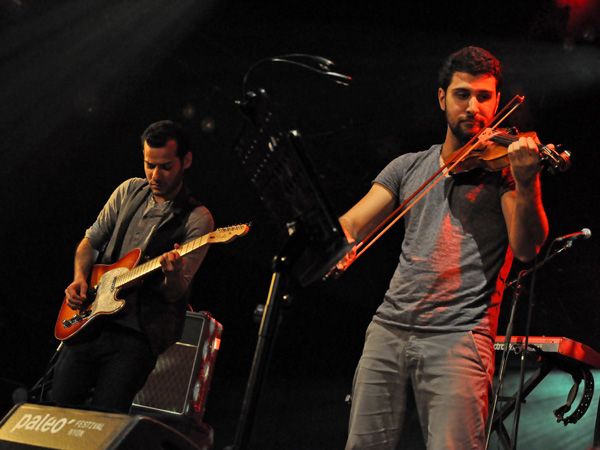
(112,358)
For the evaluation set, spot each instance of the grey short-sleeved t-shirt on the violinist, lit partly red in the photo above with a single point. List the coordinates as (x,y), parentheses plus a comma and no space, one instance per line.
(454,248)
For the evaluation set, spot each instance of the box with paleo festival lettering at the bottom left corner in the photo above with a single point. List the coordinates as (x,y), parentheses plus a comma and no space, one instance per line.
(29,426)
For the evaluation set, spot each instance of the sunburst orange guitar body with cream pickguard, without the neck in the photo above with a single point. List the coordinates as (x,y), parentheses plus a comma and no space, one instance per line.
(101,297)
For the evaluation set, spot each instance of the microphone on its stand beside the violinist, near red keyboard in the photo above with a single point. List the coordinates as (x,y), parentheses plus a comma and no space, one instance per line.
(517,287)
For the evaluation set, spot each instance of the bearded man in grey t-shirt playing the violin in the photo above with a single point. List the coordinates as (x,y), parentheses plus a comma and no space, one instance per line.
(434,331)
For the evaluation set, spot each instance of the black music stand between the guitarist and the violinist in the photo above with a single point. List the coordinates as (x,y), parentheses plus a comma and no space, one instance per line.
(275,161)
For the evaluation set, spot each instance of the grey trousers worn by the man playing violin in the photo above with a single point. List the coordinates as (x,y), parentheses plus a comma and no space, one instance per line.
(450,373)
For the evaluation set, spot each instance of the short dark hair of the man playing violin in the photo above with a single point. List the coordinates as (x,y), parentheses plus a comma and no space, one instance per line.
(471,60)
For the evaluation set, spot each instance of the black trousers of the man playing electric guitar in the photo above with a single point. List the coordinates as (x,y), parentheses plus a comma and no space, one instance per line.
(104,370)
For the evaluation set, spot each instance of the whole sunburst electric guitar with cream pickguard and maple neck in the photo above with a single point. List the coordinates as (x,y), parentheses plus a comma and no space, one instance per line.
(106,281)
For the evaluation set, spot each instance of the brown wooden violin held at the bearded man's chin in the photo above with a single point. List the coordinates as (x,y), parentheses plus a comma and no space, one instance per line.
(490,152)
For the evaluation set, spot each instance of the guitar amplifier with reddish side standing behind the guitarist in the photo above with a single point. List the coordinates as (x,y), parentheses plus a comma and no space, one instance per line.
(179,384)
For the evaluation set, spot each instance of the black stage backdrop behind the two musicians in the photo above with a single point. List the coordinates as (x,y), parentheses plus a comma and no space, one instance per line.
(81,81)
